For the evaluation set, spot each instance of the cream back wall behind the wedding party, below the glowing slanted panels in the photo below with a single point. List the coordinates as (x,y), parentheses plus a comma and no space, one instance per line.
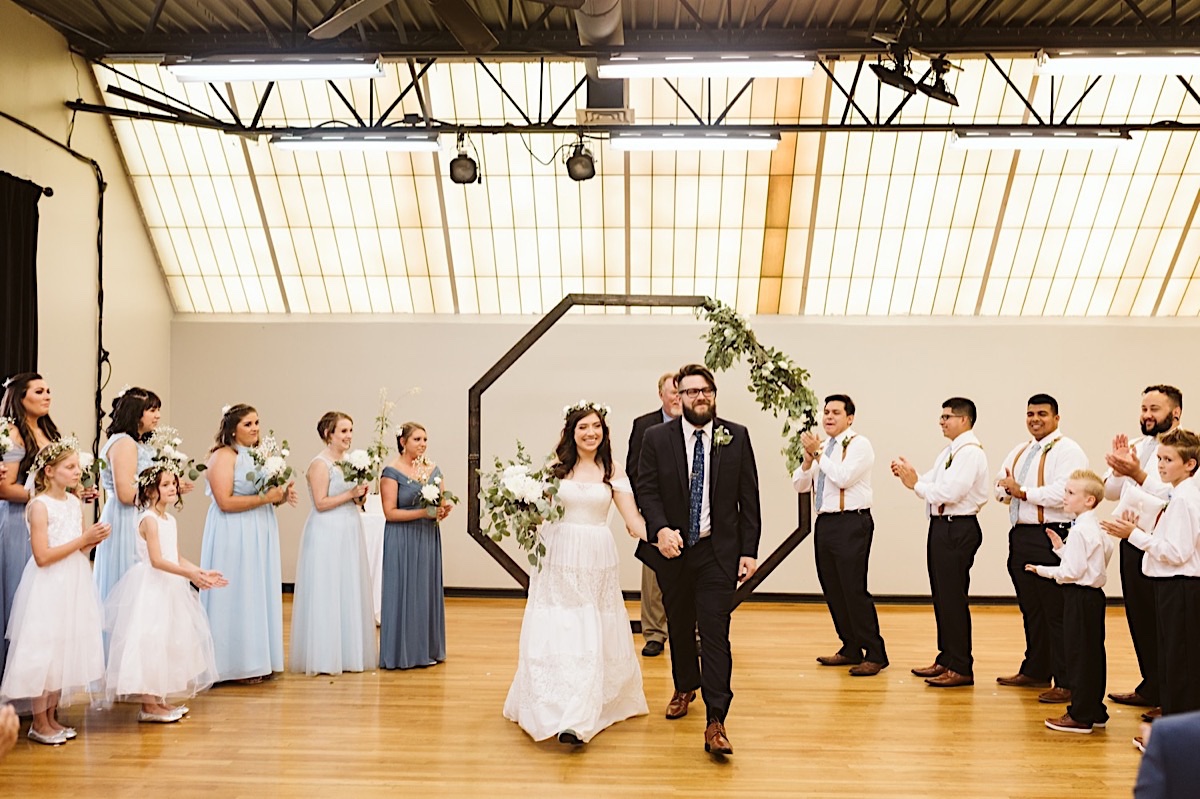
(898,373)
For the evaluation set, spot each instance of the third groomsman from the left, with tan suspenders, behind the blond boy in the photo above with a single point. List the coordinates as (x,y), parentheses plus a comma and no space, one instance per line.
(1031,482)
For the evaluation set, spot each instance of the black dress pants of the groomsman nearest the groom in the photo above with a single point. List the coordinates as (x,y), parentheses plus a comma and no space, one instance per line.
(843,551)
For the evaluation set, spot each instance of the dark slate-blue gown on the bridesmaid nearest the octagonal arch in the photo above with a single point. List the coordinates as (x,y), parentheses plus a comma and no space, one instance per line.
(412,618)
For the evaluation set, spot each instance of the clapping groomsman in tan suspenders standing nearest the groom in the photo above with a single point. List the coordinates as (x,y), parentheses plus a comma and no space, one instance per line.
(841,470)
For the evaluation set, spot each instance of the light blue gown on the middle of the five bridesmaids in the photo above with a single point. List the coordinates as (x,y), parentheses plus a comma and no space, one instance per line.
(247,616)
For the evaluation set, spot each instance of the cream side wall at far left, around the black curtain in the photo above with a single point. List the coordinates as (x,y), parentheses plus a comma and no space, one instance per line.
(40,75)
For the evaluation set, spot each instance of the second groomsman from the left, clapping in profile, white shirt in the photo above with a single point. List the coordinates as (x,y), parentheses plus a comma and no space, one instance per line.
(955,491)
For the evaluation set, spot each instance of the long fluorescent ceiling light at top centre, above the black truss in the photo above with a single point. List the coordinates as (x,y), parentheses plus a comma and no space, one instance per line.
(729,65)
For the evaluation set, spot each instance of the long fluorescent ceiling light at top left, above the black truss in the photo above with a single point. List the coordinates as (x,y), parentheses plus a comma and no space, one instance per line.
(227,69)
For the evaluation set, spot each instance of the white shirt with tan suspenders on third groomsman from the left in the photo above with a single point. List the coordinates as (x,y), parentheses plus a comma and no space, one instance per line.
(1060,456)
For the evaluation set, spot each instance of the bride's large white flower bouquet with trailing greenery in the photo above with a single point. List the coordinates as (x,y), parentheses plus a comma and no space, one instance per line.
(518,500)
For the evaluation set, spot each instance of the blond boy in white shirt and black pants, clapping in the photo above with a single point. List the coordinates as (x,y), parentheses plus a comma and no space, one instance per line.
(1083,570)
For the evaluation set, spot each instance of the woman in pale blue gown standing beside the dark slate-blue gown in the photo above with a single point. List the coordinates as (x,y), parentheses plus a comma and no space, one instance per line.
(333,615)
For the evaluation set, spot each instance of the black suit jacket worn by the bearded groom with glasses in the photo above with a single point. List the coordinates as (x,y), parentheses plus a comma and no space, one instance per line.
(663,495)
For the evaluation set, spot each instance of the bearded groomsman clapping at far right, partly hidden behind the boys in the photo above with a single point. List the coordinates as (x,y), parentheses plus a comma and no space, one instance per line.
(1136,465)
